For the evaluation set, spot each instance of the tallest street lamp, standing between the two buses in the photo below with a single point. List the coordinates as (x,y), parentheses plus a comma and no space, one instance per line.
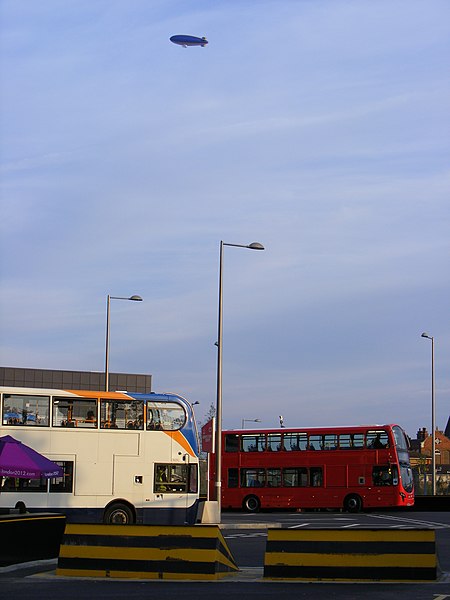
(218,441)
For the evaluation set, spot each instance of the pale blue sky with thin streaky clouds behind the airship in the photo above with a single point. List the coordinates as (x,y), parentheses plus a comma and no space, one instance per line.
(319,128)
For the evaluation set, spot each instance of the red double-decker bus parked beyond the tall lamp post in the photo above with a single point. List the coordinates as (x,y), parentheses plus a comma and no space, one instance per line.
(353,468)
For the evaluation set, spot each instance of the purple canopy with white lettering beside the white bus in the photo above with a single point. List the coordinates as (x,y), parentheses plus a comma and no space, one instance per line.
(19,460)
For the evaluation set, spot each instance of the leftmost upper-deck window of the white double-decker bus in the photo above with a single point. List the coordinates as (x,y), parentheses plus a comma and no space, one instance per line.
(25,410)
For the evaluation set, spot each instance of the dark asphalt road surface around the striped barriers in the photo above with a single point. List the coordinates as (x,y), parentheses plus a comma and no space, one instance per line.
(246,538)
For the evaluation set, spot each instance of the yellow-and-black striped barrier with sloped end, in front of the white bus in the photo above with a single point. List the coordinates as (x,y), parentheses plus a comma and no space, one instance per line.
(144,552)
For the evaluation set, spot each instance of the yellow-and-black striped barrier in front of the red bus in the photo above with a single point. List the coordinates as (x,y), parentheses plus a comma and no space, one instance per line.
(351,555)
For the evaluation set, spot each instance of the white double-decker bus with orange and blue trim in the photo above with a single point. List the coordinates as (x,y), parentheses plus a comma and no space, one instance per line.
(127,457)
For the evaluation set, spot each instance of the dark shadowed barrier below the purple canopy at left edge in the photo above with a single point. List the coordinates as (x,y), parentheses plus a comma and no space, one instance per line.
(30,536)
